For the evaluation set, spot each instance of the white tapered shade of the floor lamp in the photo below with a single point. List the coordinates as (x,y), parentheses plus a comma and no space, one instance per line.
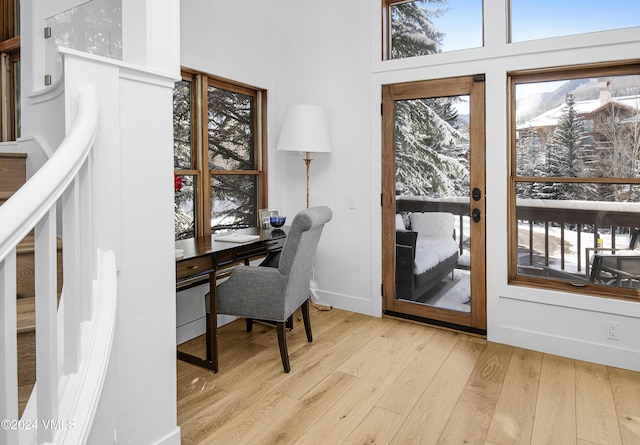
(305,128)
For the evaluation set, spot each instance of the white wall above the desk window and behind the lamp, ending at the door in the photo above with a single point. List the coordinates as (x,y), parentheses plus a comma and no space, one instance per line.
(276,45)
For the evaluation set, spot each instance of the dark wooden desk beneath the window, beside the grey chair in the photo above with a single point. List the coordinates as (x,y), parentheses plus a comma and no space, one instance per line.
(205,257)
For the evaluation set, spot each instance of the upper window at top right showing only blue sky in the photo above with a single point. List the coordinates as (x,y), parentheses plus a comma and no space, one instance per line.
(551,18)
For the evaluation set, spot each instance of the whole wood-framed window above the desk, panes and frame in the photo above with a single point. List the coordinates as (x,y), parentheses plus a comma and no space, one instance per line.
(219,154)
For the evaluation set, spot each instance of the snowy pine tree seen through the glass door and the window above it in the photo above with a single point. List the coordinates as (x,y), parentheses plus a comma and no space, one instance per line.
(431,153)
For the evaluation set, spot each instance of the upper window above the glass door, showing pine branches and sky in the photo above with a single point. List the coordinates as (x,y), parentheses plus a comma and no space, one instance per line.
(421,27)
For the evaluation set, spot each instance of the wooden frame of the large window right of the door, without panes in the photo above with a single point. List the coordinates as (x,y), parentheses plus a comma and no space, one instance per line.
(621,68)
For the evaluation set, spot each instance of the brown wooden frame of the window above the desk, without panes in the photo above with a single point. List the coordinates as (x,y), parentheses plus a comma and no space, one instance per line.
(199,145)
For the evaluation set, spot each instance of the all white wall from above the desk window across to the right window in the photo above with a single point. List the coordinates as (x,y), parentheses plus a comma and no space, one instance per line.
(329,53)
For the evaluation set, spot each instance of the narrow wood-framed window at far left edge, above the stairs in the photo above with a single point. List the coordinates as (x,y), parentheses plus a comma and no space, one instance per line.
(10,71)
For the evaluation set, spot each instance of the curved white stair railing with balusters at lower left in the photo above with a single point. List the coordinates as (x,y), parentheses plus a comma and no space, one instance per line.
(73,341)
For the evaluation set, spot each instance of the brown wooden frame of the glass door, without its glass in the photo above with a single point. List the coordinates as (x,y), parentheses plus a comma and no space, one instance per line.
(473,86)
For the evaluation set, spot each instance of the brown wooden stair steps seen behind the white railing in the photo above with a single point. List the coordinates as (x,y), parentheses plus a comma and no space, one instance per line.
(12,177)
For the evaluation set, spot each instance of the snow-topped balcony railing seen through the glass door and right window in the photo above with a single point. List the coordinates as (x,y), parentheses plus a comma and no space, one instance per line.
(555,238)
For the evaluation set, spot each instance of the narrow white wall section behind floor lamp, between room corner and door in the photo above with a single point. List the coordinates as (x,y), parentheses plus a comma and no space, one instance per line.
(327,53)
